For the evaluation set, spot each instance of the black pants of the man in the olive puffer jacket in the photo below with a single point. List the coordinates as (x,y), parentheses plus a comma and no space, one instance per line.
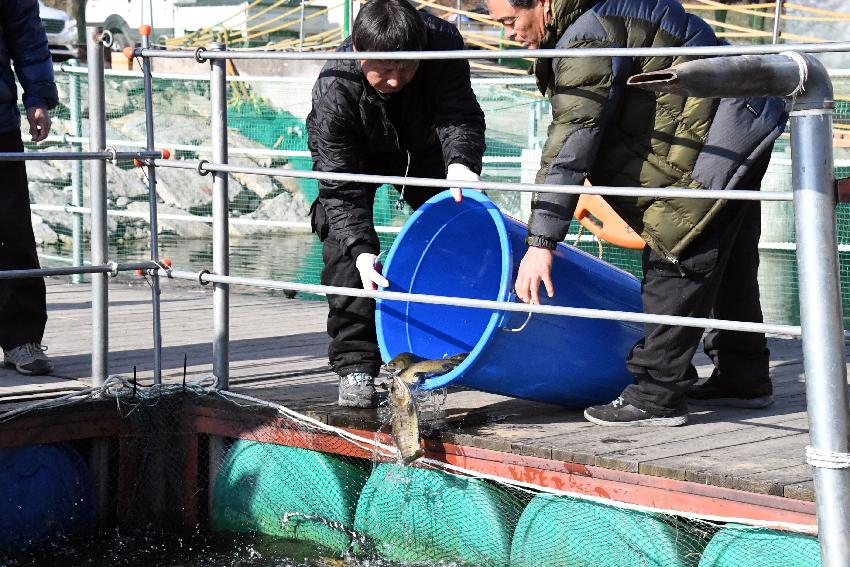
(720,281)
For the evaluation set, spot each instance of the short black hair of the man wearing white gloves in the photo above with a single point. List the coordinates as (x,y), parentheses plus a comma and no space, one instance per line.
(389,25)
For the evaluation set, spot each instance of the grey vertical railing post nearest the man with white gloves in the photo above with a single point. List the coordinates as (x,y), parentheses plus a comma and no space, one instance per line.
(221,233)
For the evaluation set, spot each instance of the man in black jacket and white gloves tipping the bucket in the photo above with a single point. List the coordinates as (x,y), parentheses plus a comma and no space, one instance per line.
(402,118)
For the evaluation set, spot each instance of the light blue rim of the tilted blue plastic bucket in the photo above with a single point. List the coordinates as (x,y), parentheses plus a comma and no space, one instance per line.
(497,318)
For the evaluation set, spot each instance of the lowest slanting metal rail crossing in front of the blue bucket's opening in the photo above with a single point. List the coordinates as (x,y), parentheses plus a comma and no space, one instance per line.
(205,277)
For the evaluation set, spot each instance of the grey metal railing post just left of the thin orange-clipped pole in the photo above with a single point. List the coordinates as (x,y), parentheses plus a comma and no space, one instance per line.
(99,237)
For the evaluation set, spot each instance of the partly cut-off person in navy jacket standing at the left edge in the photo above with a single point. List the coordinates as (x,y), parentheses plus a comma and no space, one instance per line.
(23,310)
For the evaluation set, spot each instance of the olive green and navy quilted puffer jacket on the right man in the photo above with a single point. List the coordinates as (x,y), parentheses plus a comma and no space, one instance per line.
(615,135)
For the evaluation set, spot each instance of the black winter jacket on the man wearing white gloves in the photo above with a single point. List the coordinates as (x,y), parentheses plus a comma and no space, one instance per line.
(353,129)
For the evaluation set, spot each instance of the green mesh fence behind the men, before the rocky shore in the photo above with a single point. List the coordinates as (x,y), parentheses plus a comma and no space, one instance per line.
(269,224)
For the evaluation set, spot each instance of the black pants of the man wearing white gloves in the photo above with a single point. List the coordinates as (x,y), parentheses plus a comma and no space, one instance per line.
(351,320)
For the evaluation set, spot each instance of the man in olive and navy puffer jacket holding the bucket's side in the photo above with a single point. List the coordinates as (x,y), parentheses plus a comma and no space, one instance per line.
(701,257)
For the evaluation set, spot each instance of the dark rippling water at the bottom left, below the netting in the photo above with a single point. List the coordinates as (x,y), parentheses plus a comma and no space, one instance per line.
(162,549)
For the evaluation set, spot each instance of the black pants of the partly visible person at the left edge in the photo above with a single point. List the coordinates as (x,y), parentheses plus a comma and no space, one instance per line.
(23,307)
